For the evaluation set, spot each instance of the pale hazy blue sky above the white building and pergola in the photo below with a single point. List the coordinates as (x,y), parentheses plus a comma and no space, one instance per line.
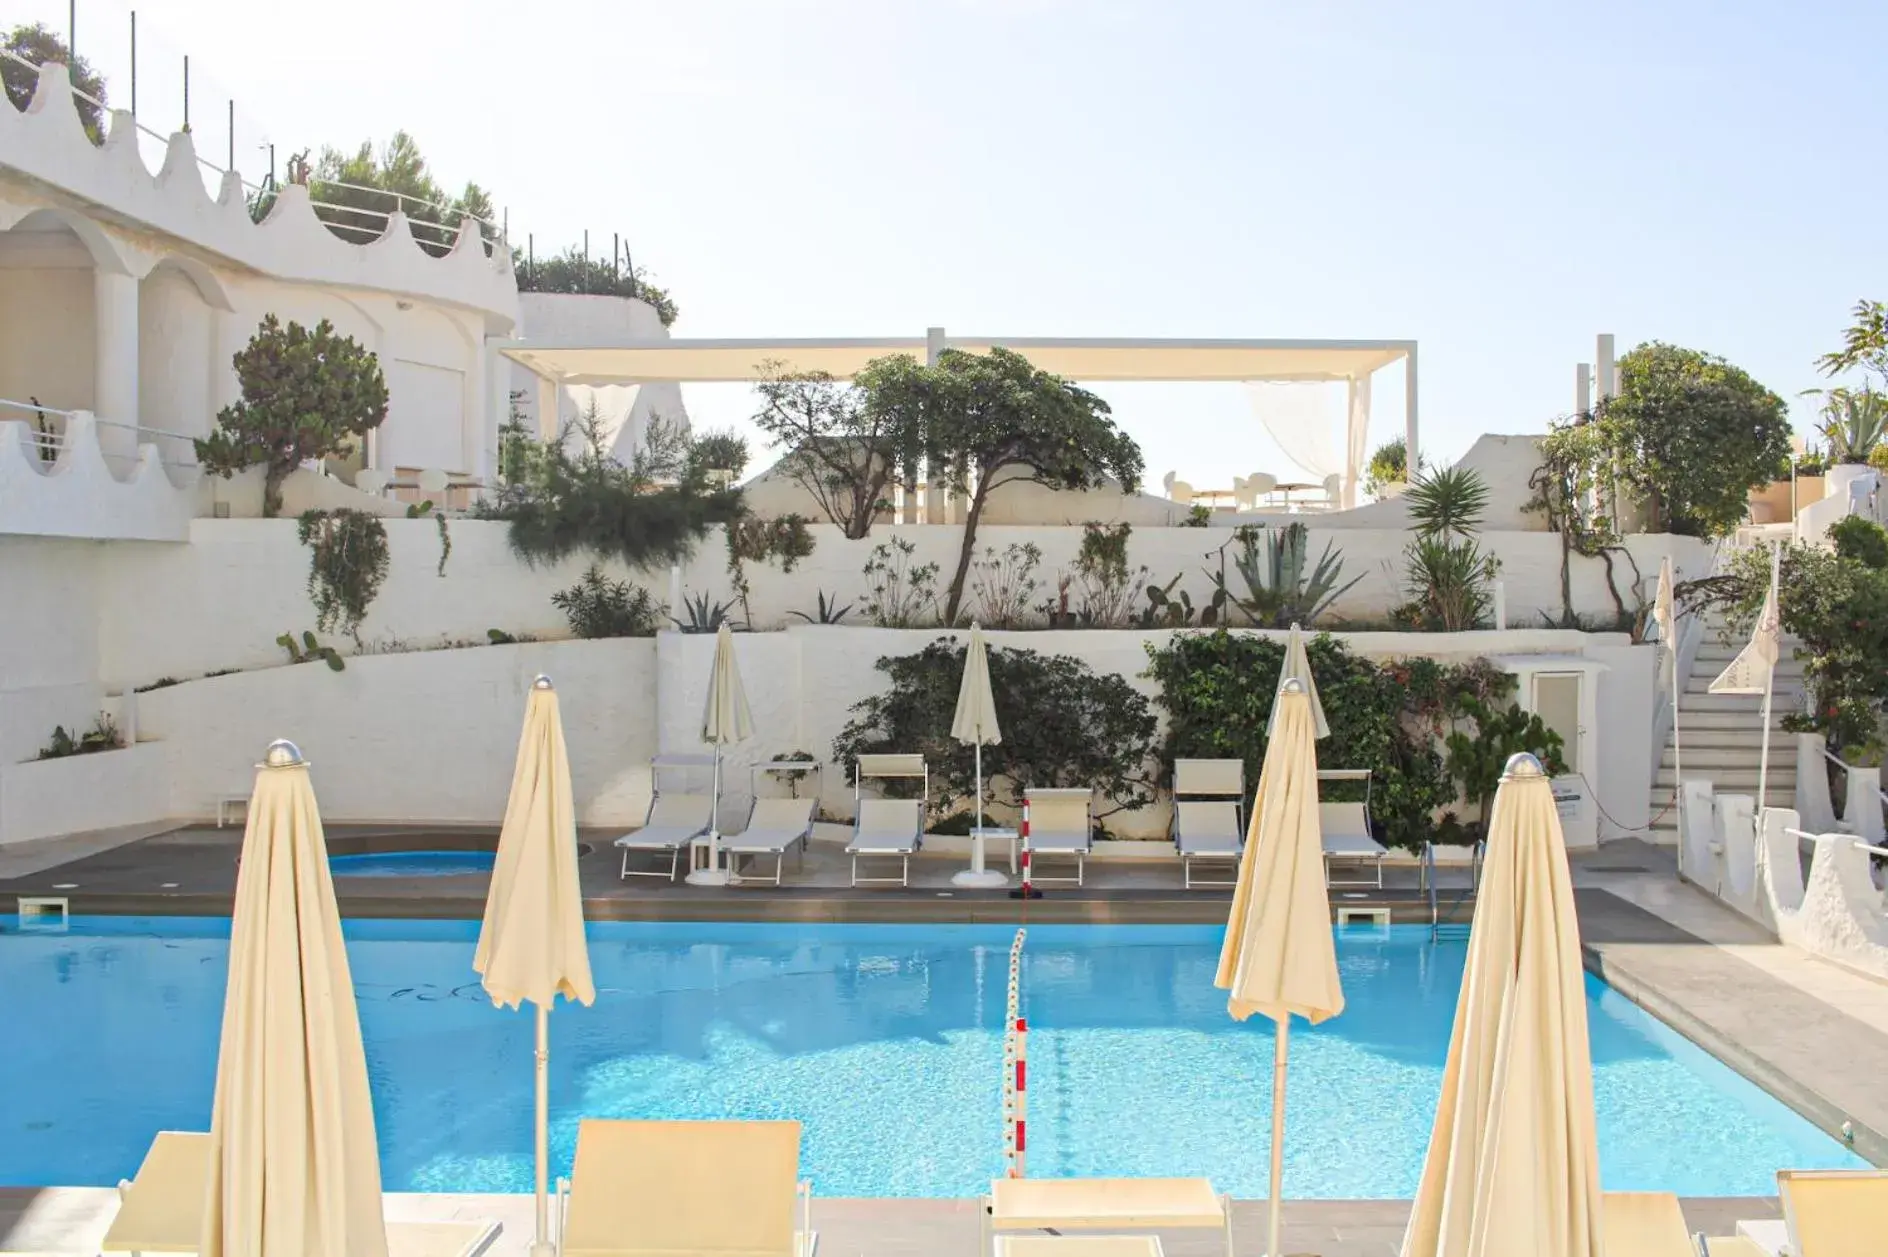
(1498,182)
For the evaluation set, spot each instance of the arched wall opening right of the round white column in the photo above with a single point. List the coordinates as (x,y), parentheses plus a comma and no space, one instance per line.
(178,360)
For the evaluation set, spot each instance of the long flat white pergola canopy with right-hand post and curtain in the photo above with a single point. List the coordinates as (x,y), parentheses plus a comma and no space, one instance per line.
(1088,361)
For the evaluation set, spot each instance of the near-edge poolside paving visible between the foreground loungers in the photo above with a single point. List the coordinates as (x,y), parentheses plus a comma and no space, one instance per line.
(73,1220)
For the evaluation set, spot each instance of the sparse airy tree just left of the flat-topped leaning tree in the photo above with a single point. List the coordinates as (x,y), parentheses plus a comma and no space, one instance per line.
(841,450)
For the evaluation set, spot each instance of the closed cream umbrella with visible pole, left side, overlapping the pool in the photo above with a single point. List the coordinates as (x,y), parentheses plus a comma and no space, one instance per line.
(531,943)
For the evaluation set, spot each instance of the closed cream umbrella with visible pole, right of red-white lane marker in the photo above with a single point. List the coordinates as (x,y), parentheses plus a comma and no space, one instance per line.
(1279,956)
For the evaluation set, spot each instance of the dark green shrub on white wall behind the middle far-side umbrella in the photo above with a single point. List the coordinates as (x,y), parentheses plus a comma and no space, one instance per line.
(1064,726)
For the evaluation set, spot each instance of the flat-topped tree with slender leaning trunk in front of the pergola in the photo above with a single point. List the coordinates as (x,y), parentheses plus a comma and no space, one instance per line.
(998,420)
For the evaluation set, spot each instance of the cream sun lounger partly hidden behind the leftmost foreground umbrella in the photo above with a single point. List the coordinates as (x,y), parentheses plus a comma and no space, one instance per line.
(161,1211)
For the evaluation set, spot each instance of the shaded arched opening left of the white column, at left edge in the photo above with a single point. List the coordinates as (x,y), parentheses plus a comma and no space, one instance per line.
(48,327)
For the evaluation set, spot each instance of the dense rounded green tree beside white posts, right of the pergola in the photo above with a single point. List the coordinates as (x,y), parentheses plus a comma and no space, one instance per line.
(1691,435)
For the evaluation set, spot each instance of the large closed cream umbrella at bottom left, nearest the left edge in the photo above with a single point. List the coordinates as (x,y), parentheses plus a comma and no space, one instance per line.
(294,1165)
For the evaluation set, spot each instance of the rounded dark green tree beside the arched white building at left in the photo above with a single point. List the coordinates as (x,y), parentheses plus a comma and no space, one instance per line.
(305,395)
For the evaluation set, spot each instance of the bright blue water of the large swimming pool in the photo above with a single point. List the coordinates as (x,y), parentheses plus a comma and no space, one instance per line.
(883,1041)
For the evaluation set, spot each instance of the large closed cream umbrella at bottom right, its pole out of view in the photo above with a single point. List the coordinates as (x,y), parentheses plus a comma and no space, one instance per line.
(1513,1162)
